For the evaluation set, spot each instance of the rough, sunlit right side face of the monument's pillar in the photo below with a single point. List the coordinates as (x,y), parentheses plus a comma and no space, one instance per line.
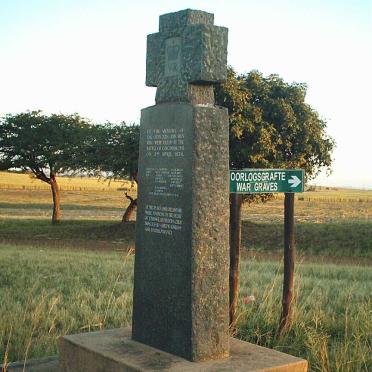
(210,233)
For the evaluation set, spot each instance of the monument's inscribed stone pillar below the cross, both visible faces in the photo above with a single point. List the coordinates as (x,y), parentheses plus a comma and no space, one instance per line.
(180,300)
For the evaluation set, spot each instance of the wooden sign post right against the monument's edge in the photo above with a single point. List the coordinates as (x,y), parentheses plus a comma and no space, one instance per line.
(235,239)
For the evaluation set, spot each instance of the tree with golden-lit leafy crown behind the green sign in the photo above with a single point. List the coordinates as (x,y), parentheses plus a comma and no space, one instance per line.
(271,125)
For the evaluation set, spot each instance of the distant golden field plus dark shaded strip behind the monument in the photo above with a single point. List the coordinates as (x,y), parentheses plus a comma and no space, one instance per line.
(325,225)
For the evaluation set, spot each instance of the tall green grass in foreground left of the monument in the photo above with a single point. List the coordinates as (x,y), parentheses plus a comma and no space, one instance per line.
(48,293)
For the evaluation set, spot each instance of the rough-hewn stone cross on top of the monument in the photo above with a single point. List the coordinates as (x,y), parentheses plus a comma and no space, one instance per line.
(186,57)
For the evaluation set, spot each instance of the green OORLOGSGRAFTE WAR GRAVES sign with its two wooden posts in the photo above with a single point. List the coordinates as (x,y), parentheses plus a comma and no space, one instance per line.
(250,181)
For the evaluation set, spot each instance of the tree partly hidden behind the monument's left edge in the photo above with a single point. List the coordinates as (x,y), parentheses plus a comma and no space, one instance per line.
(113,153)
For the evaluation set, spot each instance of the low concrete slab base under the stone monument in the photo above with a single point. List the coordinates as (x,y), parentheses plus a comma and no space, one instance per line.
(115,351)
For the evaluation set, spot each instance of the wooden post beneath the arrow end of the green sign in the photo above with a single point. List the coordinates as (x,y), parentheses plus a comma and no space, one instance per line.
(289,261)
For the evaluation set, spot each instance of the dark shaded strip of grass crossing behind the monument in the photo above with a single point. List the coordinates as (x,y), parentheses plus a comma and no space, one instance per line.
(349,239)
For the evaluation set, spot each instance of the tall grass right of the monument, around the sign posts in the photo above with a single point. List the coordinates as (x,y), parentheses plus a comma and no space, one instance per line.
(332,317)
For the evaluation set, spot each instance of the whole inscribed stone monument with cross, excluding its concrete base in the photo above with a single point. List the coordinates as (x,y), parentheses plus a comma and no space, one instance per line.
(181,302)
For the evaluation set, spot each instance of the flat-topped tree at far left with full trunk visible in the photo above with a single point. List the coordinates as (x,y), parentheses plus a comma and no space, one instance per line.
(45,145)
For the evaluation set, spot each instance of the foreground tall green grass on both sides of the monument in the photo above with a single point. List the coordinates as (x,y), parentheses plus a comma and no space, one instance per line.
(51,292)
